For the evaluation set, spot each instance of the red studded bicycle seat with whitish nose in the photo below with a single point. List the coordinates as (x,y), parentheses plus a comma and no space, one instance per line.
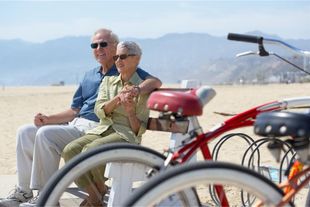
(185,103)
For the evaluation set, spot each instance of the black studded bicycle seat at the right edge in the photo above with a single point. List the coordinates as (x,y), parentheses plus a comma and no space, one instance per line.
(278,124)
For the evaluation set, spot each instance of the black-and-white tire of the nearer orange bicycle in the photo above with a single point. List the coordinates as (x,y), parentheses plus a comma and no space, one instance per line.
(220,173)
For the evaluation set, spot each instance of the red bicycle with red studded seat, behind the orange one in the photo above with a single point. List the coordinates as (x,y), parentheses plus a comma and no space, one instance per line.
(176,108)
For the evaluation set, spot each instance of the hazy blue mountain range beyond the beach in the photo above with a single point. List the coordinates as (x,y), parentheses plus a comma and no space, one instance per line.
(172,57)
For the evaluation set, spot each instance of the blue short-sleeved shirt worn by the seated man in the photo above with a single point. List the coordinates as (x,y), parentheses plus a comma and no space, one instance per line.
(86,94)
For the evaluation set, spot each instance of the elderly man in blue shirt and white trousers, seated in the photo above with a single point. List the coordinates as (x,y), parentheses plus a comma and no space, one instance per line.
(39,145)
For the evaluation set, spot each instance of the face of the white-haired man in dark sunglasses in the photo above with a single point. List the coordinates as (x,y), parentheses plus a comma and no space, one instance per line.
(103,48)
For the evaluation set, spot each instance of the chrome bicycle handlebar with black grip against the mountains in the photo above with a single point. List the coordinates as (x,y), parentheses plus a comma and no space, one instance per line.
(260,40)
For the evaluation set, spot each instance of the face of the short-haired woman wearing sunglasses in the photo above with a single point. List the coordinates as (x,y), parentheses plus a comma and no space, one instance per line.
(125,62)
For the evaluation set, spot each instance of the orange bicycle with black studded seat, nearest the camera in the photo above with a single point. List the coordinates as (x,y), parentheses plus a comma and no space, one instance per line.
(252,185)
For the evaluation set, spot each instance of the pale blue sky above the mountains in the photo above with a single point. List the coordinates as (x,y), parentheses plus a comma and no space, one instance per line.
(39,21)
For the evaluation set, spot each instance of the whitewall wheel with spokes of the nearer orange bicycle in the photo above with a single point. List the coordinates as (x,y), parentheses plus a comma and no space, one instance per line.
(239,183)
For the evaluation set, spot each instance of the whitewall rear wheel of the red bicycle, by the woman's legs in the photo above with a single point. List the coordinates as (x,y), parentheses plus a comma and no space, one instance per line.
(56,190)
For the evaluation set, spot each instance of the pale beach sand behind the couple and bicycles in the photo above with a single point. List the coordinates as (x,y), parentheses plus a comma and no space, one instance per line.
(18,105)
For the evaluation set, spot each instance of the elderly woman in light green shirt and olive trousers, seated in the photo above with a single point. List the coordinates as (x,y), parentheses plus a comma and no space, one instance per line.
(123,117)
